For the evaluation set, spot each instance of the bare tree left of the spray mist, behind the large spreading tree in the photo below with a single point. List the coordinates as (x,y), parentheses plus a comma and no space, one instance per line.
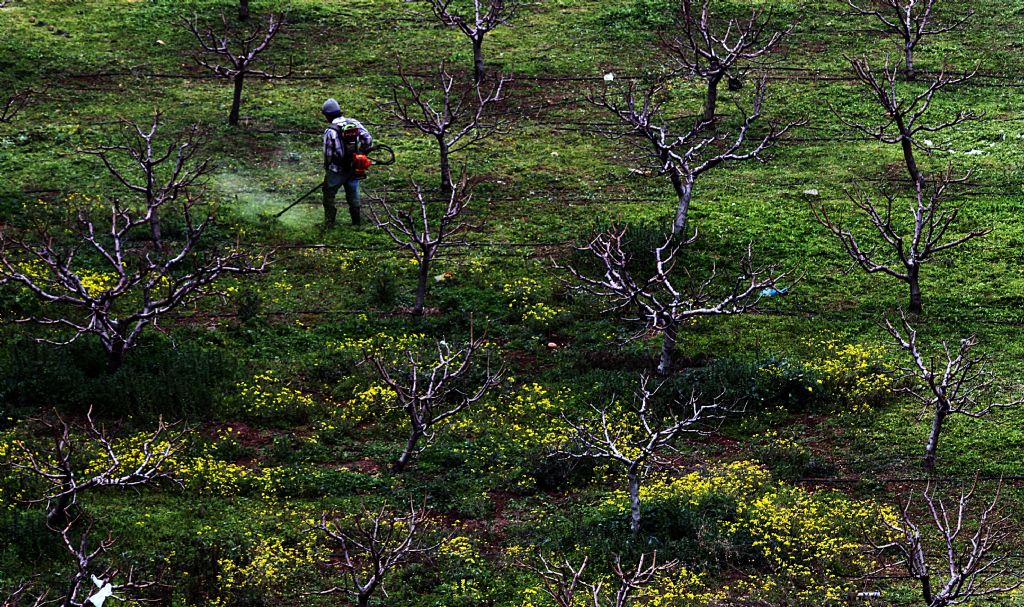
(159,172)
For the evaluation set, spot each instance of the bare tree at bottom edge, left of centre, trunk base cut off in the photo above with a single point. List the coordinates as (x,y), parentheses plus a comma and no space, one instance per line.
(375,545)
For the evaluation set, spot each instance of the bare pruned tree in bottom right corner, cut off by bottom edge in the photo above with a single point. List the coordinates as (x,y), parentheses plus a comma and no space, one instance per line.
(957,558)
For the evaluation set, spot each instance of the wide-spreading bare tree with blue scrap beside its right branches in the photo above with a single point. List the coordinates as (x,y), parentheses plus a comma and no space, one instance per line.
(661,299)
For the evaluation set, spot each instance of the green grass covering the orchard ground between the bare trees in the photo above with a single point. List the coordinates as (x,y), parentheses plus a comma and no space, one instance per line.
(545,187)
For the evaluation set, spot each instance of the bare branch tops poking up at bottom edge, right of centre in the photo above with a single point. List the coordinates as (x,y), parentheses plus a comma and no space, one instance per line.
(564,582)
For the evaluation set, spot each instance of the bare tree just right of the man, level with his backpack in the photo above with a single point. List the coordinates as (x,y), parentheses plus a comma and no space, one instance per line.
(456,117)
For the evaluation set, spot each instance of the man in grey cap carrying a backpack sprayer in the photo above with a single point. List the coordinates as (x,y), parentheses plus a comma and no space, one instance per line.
(345,139)
